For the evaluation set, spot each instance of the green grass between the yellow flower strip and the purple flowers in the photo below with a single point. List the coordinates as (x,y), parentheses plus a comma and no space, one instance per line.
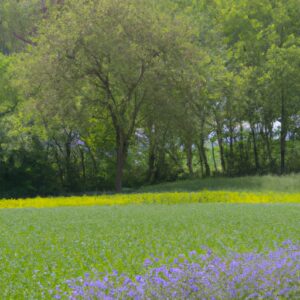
(40,248)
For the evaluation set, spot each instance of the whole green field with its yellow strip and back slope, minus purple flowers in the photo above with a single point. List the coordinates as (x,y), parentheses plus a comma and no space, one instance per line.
(67,237)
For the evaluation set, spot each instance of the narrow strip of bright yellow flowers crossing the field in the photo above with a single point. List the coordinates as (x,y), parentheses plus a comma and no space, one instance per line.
(159,198)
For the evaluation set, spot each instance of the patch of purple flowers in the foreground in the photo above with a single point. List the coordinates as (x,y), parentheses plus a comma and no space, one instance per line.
(270,275)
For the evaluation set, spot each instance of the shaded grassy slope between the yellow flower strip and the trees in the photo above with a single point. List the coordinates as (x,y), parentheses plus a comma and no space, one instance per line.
(287,184)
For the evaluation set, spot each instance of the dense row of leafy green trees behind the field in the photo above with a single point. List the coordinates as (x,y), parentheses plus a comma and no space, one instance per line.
(100,91)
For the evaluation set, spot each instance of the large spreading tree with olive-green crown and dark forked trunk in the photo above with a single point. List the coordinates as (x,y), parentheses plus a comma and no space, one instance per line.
(107,54)
